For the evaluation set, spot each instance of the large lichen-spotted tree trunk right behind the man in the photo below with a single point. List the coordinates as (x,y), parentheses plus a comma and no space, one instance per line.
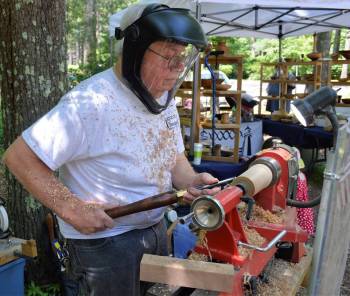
(33,78)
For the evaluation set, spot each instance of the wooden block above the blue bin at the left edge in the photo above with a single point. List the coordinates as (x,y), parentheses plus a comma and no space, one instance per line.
(16,245)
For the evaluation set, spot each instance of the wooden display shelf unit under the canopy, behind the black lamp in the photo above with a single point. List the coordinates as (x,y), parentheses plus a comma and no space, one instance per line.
(314,81)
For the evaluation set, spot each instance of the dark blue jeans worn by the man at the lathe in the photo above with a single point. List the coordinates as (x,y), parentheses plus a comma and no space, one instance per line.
(111,265)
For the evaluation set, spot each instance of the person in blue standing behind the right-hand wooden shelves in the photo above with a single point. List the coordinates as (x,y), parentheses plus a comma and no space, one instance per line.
(273,90)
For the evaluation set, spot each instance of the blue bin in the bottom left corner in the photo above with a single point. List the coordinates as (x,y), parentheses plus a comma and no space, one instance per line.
(12,278)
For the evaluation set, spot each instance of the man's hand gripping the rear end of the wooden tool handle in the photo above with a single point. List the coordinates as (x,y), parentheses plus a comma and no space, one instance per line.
(87,217)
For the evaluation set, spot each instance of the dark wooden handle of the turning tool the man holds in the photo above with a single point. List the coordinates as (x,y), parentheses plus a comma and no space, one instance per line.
(153,202)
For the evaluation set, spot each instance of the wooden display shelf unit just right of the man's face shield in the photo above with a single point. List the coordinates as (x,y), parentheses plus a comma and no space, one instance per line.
(235,126)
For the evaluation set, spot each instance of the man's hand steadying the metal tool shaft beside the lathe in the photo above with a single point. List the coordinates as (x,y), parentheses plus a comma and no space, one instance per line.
(200,180)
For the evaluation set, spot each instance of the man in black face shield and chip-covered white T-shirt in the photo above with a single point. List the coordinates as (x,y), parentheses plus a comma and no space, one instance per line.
(115,139)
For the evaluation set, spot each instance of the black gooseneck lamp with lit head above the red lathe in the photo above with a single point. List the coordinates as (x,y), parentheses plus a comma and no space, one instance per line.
(321,101)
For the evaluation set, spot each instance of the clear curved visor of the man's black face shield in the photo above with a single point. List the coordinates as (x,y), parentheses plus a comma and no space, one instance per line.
(165,65)
